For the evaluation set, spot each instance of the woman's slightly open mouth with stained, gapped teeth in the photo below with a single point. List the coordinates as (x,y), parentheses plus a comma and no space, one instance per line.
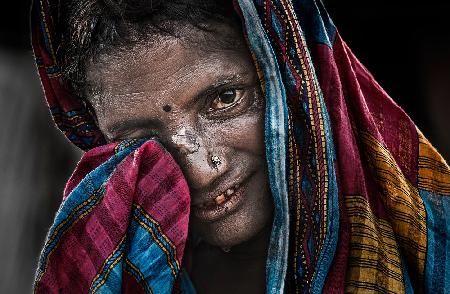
(221,205)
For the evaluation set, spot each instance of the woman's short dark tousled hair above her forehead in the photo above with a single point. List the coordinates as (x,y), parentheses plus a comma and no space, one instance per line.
(89,28)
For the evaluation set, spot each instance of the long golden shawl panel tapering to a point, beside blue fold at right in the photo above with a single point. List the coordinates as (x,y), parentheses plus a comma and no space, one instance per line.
(402,203)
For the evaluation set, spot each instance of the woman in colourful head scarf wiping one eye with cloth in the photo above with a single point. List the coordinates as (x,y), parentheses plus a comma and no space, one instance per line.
(294,170)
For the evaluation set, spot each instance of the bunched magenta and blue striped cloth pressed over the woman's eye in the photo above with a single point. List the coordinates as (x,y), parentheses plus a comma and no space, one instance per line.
(122,225)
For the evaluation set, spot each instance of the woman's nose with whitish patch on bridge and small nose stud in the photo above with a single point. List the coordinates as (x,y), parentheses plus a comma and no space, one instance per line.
(201,162)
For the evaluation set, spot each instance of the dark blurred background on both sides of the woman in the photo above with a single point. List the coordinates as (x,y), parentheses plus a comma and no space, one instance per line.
(406,46)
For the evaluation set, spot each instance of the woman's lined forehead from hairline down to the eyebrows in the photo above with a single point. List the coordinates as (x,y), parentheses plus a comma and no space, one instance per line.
(169,66)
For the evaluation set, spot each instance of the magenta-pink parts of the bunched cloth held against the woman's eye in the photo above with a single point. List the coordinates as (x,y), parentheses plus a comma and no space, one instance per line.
(148,178)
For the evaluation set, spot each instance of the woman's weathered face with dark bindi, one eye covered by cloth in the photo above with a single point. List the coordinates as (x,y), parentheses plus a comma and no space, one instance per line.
(201,97)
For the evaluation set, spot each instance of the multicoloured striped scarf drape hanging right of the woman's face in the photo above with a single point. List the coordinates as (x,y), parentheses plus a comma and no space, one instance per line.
(367,193)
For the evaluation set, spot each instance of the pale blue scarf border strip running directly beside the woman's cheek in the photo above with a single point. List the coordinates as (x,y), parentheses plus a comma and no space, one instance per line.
(276,144)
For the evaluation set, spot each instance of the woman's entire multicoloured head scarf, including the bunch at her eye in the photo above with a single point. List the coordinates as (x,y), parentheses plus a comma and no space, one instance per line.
(361,197)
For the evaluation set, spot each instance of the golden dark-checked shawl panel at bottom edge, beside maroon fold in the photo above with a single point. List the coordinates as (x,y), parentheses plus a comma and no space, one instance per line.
(374,262)
